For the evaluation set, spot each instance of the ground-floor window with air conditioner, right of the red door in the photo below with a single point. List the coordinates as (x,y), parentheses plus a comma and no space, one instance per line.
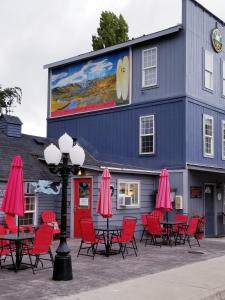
(128,193)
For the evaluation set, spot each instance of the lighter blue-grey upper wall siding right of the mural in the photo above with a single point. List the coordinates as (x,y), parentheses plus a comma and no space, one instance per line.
(170,71)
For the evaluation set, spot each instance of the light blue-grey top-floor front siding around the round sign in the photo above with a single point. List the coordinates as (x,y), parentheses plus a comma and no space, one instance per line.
(198,24)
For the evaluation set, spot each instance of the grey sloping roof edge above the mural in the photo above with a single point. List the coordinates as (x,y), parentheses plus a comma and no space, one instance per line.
(129,43)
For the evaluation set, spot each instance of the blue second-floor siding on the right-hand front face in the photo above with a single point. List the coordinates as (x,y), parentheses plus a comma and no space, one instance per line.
(194,134)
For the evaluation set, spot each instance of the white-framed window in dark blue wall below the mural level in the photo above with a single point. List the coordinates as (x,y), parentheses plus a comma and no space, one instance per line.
(147,133)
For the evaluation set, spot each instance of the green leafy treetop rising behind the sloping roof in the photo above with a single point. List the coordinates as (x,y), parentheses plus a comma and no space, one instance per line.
(112,30)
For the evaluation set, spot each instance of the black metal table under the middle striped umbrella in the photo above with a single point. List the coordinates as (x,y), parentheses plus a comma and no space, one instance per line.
(108,232)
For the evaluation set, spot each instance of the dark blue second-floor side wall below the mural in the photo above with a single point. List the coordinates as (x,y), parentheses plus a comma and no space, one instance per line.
(113,135)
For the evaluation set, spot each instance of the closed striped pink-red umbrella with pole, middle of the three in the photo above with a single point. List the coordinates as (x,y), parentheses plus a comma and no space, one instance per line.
(104,204)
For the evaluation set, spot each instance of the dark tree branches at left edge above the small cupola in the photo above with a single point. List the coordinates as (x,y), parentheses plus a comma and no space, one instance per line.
(8,96)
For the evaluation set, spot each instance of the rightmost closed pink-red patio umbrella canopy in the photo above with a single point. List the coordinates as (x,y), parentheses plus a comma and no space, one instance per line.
(163,197)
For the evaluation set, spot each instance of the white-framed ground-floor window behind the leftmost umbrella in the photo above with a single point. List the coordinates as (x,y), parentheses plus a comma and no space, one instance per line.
(30,206)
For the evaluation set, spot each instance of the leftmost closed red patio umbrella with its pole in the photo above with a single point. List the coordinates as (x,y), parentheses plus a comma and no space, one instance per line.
(13,201)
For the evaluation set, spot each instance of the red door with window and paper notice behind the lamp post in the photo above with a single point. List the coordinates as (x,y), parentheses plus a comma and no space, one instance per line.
(82,202)
